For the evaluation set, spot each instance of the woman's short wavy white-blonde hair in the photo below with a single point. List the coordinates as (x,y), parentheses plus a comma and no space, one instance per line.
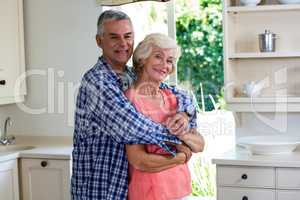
(145,47)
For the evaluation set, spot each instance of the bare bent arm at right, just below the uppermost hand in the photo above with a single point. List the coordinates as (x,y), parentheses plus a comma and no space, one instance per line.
(194,140)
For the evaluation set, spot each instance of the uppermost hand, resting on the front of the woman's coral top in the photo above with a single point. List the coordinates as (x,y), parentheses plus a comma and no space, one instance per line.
(177,124)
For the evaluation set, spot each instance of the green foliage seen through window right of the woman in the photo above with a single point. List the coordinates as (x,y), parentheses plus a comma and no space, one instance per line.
(199,33)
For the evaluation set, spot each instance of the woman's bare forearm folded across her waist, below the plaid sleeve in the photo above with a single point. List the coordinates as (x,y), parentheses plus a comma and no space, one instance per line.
(148,162)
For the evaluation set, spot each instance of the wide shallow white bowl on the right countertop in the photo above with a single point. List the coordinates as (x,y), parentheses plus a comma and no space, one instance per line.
(266,145)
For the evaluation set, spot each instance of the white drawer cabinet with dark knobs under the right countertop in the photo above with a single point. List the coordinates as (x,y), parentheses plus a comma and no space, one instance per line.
(257,183)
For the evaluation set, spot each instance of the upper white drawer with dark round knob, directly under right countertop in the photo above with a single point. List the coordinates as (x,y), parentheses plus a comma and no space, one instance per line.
(246,176)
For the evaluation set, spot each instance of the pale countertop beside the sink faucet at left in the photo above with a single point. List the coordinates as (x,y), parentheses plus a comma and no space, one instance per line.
(42,148)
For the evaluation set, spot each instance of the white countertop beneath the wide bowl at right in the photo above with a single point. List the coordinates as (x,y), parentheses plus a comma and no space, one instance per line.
(239,156)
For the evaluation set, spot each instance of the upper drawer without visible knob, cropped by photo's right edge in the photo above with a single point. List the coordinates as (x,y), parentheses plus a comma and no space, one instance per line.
(288,178)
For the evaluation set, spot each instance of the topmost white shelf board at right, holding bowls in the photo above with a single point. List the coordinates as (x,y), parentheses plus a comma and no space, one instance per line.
(263,8)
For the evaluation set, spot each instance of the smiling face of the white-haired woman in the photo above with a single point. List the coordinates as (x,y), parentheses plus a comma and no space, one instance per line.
(159,64)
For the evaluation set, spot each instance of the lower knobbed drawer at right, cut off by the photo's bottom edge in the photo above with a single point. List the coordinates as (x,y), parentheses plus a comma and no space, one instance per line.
(227,193)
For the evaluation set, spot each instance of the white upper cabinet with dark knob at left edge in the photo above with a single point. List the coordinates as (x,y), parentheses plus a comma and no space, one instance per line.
(12,59)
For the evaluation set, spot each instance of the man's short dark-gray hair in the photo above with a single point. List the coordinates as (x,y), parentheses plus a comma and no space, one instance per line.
(110,15)
